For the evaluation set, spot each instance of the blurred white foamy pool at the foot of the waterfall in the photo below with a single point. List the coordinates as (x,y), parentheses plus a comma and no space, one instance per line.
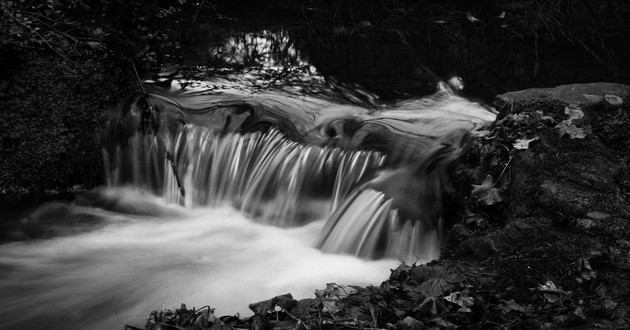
(162,257)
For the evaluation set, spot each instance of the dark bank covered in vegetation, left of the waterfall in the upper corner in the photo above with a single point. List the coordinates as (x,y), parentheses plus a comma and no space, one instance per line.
(64,64)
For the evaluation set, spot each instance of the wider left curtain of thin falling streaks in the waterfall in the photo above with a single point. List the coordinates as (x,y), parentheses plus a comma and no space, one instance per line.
(265,175)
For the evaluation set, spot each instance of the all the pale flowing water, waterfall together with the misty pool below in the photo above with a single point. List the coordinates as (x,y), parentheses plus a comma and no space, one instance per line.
(258,194)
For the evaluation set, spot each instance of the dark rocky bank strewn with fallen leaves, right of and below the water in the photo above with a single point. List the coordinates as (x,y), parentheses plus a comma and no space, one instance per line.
(541,239)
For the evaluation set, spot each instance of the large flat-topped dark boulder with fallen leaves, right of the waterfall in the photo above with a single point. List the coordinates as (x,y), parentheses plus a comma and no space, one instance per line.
(577,160)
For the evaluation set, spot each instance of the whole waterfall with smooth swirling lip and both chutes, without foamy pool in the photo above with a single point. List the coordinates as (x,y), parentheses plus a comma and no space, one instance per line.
(287,160)
